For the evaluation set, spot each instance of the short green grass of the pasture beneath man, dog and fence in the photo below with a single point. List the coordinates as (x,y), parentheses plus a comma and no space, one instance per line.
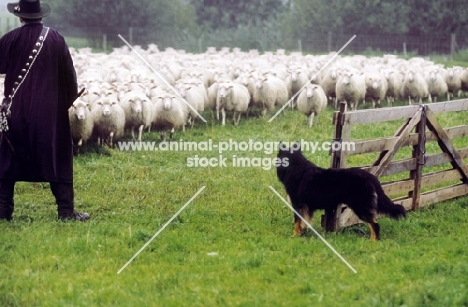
(420,261)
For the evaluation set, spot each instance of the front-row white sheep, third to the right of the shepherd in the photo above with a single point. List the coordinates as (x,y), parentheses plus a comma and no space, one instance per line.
(138,112)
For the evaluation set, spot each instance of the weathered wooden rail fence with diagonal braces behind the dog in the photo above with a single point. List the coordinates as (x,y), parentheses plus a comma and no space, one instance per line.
(420,127)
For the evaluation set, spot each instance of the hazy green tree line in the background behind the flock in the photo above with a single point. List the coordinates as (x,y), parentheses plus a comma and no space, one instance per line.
(255,23)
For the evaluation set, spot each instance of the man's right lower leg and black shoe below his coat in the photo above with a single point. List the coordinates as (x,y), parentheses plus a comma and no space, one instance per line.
(64,197)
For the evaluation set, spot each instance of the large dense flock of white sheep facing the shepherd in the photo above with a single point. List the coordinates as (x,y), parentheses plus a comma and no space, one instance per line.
(170,90)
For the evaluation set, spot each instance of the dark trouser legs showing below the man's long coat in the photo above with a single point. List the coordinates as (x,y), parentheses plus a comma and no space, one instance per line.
(63,192)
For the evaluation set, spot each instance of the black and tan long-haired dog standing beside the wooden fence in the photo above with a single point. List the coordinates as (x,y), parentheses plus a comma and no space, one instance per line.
(311,187)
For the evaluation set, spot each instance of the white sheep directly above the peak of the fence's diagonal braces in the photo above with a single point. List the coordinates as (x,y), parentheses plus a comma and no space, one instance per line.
(414,86)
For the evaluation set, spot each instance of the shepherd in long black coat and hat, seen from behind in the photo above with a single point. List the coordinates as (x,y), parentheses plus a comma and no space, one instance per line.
(40,86)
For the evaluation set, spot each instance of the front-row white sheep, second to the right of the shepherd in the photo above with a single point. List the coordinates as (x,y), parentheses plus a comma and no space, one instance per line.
(109,120)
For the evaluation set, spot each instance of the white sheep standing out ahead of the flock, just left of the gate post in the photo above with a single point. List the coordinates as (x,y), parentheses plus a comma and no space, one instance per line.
(311,101)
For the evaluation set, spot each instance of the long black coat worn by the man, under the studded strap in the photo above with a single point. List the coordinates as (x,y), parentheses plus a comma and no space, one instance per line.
(39,122)
